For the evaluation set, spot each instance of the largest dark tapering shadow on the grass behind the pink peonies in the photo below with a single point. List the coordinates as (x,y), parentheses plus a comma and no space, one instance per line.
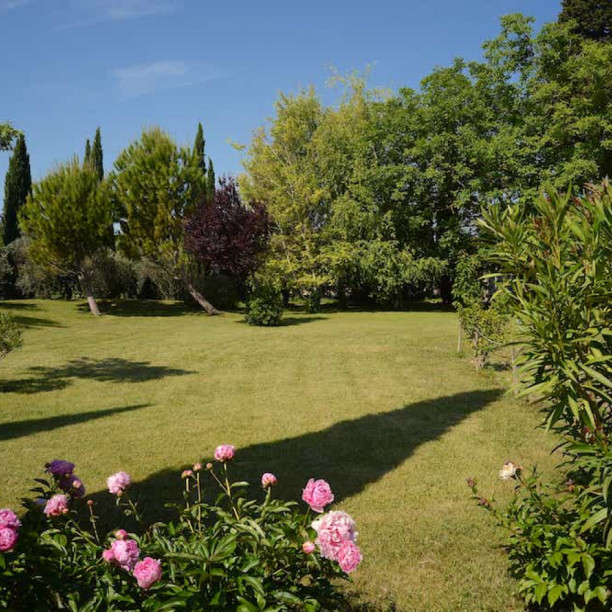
(350,455)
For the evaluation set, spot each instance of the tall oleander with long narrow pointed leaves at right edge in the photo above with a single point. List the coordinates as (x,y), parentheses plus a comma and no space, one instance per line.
(558,259)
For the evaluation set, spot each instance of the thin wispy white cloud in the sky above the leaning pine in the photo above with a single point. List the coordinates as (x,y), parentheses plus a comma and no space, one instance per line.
(143,79)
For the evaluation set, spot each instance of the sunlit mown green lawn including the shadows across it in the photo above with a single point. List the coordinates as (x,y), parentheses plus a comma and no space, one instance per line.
(377,403)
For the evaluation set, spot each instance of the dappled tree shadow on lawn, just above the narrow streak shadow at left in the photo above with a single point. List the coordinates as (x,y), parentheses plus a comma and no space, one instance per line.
(112,369)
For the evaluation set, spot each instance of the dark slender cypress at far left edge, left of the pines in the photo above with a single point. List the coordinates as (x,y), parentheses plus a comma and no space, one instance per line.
(17,187)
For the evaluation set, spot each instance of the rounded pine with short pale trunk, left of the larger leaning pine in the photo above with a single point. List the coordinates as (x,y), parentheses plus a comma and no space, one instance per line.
(66,221)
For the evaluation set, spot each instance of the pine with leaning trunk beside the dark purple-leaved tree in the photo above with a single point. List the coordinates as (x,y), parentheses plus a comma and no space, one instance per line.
(157,185)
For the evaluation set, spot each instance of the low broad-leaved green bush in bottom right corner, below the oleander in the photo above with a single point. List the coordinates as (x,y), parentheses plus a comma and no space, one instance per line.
(561,562)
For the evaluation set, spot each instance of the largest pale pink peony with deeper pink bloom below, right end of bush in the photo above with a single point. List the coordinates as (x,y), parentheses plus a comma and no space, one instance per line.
(336,538)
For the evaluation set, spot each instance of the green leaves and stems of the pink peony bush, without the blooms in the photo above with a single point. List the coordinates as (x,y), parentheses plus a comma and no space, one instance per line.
(238,553)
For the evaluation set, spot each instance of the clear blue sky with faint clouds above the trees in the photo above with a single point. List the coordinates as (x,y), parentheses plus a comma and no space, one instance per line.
(70,65)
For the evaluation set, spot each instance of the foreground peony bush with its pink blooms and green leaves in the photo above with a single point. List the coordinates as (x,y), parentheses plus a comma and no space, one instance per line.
(236,553)
